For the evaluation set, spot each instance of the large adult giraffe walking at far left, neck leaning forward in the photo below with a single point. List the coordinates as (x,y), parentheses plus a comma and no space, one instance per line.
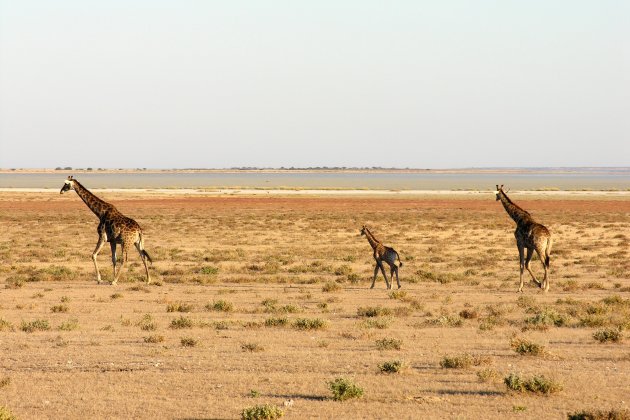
(113,227)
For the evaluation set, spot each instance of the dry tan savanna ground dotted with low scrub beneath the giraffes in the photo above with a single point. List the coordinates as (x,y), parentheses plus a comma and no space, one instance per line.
(266,301)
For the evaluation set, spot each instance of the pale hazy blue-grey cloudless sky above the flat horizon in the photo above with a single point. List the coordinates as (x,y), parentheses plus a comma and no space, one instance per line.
(426,84)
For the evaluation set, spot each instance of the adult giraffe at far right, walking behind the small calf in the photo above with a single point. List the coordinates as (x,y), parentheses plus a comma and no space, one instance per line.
(530,235)
